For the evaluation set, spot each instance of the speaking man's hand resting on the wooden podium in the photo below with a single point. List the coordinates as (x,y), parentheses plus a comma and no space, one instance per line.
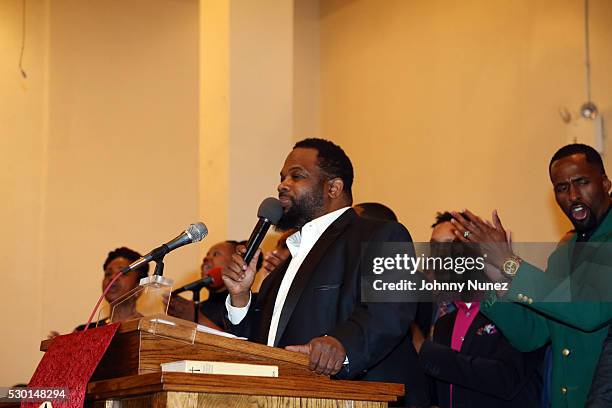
(326,353)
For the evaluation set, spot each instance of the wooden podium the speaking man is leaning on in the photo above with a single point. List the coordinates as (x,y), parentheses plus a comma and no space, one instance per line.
(129,375)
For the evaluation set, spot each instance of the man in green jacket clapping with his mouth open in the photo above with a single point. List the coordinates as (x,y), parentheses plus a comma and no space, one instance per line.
(570,304)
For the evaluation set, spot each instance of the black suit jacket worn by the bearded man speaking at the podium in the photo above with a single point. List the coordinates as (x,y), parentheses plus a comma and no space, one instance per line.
(325,299)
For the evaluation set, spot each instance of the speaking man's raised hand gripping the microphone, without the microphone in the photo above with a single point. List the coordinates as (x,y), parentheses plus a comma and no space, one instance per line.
(238,277)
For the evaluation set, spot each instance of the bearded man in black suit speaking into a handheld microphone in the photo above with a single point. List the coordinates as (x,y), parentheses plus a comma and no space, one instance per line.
(312,302)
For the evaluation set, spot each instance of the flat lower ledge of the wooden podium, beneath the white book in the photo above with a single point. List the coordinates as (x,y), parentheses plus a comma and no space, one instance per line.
(161,390)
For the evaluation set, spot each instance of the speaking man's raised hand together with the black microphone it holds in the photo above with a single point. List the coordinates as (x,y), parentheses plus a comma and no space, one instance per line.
(239,275)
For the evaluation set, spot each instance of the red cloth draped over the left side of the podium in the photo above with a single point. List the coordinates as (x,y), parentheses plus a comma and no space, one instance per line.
(69,363)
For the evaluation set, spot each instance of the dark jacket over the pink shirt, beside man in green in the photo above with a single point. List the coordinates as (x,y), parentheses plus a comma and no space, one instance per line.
(487,372)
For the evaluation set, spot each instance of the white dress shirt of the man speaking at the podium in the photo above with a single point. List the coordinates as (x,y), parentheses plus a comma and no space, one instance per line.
(299,245)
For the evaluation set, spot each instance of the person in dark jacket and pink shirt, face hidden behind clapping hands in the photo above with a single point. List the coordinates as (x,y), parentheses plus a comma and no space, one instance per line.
(472,363)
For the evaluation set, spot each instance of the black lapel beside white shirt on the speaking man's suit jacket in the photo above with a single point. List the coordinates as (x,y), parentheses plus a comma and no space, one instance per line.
(308,267)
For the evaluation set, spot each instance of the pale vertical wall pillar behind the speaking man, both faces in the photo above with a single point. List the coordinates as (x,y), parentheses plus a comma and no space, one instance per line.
(246,109)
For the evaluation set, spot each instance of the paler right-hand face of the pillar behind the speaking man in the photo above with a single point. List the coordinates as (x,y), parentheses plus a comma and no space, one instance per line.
(261,77)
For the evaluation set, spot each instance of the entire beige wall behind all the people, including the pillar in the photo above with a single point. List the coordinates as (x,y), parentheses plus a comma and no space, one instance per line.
(138,118)
